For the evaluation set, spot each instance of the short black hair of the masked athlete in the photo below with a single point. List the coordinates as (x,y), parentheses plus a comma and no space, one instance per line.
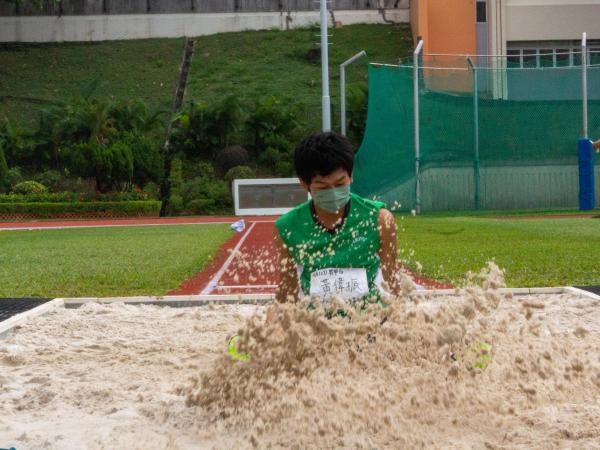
(322,154)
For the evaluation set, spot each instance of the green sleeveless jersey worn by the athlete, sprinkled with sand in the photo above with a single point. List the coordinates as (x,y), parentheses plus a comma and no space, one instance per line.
(355,244)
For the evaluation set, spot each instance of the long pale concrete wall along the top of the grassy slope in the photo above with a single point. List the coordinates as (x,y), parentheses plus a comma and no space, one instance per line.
(145,26)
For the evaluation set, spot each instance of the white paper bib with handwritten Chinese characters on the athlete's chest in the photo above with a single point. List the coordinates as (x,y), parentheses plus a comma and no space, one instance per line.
(349,284)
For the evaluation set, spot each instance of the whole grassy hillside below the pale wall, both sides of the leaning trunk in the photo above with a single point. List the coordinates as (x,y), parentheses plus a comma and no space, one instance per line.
(247,64)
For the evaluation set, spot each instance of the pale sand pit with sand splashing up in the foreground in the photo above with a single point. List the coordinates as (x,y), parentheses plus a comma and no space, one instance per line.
(121,376)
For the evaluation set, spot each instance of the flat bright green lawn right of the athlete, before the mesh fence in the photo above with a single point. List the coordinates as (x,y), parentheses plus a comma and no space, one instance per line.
(548,252)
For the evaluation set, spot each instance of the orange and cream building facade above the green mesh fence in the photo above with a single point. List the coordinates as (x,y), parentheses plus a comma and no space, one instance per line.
(532,32)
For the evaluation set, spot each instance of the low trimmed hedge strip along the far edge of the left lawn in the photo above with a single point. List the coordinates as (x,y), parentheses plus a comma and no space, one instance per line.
(41,210)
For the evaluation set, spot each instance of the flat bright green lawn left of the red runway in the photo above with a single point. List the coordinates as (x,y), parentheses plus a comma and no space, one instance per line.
(115,261)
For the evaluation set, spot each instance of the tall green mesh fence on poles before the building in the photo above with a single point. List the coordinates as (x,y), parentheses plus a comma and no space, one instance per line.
(491,137)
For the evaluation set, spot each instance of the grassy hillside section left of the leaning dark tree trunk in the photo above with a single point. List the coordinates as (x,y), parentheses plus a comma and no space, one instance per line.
(144,69)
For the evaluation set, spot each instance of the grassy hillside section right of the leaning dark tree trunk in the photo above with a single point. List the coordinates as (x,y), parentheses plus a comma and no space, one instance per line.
(258,63)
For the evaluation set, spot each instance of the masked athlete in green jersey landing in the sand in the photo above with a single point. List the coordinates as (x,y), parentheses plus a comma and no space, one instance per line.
(337,242)
